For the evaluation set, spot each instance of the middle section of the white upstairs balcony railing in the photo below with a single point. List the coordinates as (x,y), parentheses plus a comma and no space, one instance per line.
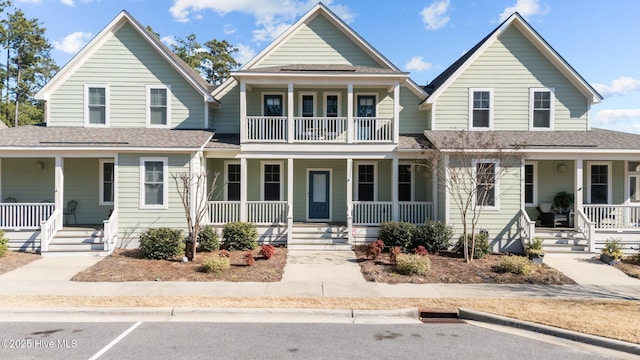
(320,129)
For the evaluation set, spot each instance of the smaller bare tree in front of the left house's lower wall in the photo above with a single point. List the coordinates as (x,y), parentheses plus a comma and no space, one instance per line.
(195,207)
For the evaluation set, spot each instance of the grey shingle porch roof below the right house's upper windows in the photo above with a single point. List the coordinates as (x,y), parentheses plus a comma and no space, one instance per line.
(594,139)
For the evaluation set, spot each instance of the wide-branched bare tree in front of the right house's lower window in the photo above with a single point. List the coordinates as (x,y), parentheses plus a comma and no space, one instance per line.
(471,165)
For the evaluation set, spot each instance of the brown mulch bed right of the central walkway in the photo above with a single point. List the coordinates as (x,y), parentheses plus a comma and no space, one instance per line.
(447,267)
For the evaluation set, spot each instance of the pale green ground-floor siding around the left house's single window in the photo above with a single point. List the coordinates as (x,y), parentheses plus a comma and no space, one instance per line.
(132,220)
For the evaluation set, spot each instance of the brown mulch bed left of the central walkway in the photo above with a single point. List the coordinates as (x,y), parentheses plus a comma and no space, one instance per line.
(128,265)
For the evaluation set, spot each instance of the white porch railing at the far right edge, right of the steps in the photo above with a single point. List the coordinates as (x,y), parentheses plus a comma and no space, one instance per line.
(613,217)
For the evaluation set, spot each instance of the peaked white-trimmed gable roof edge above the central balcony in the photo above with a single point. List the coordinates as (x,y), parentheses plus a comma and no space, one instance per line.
(322,10)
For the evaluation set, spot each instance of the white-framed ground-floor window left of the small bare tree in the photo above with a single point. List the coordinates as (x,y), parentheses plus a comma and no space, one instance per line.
(154,190)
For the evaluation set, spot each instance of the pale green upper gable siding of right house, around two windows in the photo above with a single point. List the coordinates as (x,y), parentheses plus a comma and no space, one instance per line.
(521,67)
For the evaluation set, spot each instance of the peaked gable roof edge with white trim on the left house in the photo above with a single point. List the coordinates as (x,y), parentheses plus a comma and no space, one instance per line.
(187,72)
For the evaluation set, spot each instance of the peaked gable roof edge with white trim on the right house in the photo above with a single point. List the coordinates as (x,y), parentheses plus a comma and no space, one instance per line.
(442,81)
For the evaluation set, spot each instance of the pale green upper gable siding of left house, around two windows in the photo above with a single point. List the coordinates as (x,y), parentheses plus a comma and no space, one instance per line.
(126,63)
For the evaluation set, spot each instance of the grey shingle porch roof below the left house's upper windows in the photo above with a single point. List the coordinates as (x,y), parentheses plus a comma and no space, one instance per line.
(99,138)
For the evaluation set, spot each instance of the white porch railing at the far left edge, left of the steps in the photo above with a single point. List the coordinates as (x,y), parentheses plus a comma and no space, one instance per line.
(24,216)
